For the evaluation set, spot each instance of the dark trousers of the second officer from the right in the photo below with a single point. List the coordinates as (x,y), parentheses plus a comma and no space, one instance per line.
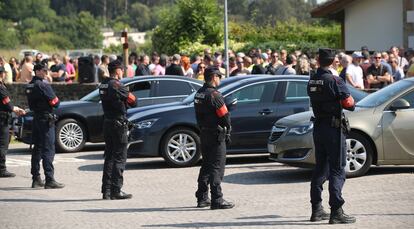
(212,168)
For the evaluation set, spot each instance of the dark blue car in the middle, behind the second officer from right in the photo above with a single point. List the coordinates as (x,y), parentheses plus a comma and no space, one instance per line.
(172,132)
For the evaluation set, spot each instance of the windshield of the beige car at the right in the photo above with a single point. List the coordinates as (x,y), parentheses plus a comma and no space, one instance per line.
(379,97)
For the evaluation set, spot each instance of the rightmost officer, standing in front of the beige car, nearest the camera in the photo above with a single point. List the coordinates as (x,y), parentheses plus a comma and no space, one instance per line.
(329,96)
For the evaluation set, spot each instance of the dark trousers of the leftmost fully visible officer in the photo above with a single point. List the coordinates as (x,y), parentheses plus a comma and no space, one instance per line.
(44,146)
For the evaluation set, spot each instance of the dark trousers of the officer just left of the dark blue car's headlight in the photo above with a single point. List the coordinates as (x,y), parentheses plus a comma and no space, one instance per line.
(115,134)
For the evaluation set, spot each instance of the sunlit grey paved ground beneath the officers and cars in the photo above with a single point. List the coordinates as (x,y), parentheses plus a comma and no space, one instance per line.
(267,194)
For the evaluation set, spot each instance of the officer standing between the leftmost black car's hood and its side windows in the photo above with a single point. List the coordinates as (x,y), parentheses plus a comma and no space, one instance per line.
(116,99)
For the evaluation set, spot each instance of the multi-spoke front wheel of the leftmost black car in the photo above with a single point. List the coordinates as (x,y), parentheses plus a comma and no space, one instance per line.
(70,135)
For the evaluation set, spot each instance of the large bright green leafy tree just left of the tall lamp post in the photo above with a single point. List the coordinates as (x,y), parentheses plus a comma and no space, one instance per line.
(188,22)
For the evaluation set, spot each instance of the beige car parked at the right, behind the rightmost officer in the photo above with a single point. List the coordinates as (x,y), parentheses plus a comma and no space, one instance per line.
(382,129)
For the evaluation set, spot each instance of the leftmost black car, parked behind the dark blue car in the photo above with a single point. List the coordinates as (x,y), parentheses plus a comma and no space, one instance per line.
(81,121)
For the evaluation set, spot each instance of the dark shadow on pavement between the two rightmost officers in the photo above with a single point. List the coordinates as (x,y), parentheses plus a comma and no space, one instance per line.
(270,177)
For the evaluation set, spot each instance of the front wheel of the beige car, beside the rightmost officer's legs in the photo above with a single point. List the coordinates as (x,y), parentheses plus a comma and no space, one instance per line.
(358,155)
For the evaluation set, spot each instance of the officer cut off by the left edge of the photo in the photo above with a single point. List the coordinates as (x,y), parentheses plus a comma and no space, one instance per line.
(6,107)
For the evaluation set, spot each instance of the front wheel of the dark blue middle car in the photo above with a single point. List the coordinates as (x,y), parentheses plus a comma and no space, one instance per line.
(181,147)
